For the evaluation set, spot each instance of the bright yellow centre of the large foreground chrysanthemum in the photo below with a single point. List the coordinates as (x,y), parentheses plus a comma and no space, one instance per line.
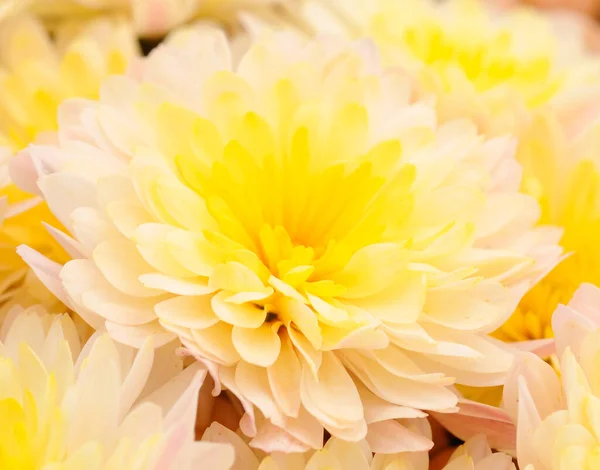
(291,206)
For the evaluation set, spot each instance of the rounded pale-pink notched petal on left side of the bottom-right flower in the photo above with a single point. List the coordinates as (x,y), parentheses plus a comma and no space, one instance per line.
(542,381)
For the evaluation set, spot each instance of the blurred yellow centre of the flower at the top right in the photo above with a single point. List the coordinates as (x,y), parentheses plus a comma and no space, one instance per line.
(485,54)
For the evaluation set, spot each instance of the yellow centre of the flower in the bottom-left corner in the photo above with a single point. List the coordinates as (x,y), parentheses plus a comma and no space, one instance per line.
(32,428)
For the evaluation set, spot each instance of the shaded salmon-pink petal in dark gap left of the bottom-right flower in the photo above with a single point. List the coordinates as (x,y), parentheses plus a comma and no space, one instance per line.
(475,418)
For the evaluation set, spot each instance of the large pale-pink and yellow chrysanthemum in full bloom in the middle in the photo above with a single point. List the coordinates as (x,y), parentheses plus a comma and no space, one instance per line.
(333,254)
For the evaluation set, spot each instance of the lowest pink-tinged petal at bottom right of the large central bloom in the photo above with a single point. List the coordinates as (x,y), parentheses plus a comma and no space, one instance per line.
(389,437)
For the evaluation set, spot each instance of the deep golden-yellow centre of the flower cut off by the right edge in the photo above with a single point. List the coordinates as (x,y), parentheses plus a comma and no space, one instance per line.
(579,216)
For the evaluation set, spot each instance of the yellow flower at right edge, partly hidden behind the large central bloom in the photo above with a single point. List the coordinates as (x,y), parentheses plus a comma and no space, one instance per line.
(560,170)
